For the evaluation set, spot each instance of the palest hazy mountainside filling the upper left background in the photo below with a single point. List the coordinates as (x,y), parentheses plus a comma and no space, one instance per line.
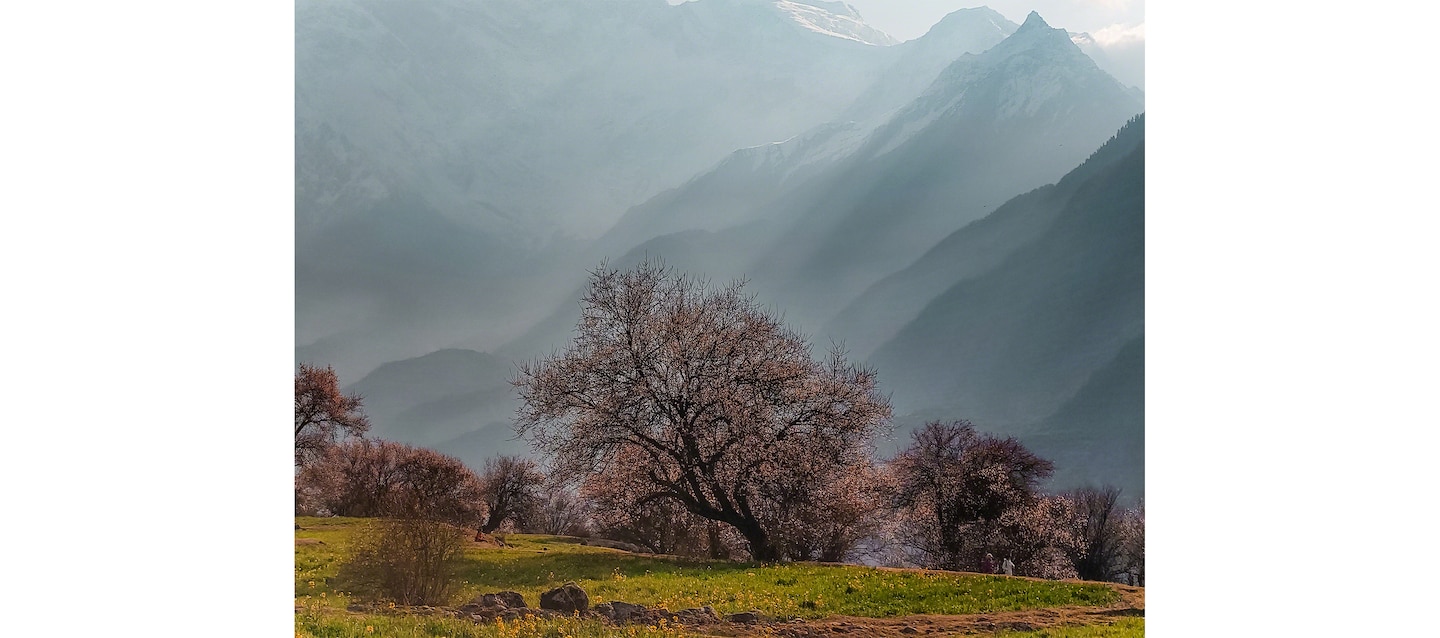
(451,153)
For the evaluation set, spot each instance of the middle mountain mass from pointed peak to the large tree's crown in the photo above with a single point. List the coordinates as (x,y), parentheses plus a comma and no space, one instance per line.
(819,220)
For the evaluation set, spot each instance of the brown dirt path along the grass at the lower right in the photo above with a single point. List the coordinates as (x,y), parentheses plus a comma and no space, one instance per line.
(1131,604)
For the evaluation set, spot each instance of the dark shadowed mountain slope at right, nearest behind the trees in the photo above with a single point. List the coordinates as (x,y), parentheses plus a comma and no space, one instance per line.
(1045,342)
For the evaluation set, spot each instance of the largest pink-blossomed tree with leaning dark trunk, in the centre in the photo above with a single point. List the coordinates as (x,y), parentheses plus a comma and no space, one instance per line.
(714,394)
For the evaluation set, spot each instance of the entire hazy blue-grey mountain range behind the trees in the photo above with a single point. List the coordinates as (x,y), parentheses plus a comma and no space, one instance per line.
(950,208)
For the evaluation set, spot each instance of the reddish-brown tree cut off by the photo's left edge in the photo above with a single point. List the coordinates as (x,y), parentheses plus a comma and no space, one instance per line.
(323,414)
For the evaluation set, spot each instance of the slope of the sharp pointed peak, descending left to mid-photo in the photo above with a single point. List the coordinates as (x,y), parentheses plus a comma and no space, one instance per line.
(1006,122)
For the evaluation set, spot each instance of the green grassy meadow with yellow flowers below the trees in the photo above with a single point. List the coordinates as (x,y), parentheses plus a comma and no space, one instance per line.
(536,564)
